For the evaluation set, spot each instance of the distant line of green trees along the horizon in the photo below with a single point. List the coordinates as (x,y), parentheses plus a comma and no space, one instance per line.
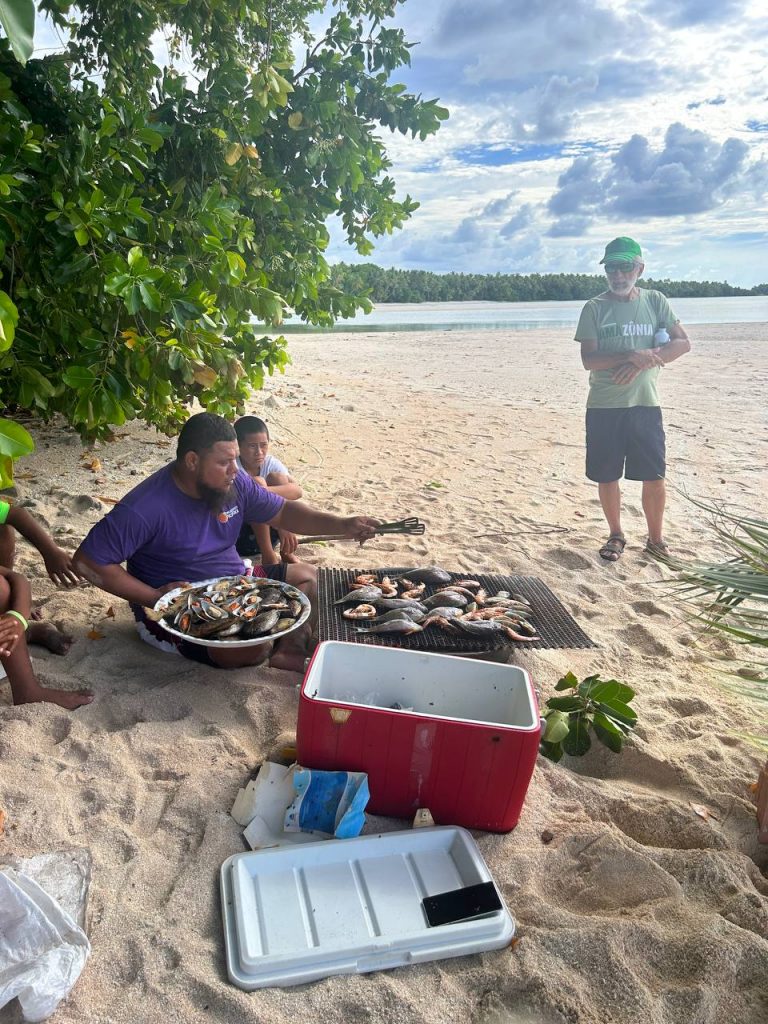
(423,286)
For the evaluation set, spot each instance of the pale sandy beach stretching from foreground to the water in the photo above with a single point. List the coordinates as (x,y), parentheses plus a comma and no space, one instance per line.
(632,906)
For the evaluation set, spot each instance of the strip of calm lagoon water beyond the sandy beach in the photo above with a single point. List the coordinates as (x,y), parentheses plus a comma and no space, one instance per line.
(528,316)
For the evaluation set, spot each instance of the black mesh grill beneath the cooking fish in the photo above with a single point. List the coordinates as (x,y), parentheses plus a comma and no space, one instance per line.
(556,627)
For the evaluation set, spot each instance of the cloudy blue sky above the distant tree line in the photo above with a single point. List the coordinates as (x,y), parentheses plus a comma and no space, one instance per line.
(576,122)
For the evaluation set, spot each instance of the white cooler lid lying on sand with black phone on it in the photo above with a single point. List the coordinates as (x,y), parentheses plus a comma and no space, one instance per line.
(296,915)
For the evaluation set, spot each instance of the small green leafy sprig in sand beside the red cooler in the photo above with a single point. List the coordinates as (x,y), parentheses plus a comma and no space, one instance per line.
(600,705)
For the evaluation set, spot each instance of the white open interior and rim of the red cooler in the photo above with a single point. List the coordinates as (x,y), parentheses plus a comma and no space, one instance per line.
(442,687)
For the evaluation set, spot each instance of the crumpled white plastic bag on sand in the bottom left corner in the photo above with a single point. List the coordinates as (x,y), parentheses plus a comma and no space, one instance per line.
(42,951)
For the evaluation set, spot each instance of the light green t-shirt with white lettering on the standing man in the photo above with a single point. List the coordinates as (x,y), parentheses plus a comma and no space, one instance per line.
(624,327)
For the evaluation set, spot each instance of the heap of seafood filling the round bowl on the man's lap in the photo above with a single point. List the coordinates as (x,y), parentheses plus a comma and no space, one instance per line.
(232,609)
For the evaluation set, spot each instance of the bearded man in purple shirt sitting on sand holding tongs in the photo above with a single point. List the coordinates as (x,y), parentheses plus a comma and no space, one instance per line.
(183,524)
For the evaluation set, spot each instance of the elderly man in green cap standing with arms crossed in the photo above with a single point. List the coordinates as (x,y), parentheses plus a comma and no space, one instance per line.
(627,335)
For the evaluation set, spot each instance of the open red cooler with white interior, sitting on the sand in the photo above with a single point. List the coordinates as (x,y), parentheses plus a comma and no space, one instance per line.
(453,735)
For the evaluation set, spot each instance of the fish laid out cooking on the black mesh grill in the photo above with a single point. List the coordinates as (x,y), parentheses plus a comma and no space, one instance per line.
(397,606)
